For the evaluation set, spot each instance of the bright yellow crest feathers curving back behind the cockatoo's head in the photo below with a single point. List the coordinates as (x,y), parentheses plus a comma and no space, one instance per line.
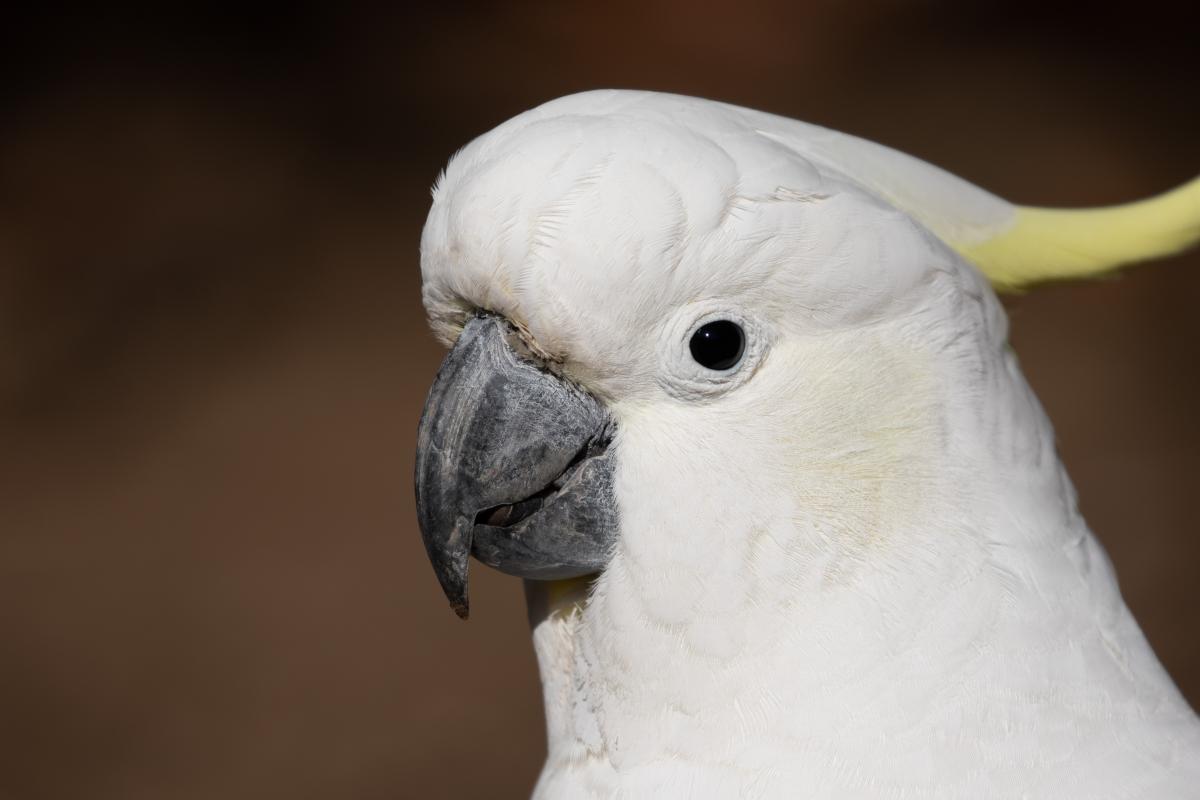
(1061,244)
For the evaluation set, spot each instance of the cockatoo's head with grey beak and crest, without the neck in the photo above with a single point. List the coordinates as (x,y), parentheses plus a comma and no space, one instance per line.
(676,323)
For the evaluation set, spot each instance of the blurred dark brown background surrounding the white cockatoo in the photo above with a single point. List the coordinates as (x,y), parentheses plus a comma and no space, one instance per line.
(213,354)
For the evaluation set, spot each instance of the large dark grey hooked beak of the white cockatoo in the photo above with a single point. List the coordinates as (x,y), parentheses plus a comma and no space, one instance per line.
(513,466)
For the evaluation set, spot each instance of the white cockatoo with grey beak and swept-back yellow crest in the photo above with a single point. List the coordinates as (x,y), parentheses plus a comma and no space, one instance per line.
(734,394)
